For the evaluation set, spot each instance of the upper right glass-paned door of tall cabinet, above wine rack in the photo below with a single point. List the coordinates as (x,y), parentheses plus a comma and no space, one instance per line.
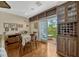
(71,12)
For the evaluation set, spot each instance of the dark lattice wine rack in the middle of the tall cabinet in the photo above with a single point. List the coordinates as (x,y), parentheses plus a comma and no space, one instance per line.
(67,29)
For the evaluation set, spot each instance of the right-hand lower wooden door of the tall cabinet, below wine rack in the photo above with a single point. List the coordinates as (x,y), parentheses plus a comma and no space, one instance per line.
(71,47)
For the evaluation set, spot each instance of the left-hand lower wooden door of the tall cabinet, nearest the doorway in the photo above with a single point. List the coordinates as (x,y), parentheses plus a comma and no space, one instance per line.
(61,45)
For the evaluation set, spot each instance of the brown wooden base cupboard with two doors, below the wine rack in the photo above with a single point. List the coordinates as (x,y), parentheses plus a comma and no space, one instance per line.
(67,46)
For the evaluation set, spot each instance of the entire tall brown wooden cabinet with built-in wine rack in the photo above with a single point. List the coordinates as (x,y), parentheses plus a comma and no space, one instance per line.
(68,33)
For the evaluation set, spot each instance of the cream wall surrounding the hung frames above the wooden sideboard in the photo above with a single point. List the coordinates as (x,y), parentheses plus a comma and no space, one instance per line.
(10,18)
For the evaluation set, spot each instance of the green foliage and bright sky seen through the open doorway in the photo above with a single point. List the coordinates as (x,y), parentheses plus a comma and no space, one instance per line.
(52,27)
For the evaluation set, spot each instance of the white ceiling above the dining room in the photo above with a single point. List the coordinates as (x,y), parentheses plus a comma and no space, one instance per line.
(30,8)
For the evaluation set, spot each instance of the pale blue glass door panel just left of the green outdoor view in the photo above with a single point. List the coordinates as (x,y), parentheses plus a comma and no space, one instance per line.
(43,35)
